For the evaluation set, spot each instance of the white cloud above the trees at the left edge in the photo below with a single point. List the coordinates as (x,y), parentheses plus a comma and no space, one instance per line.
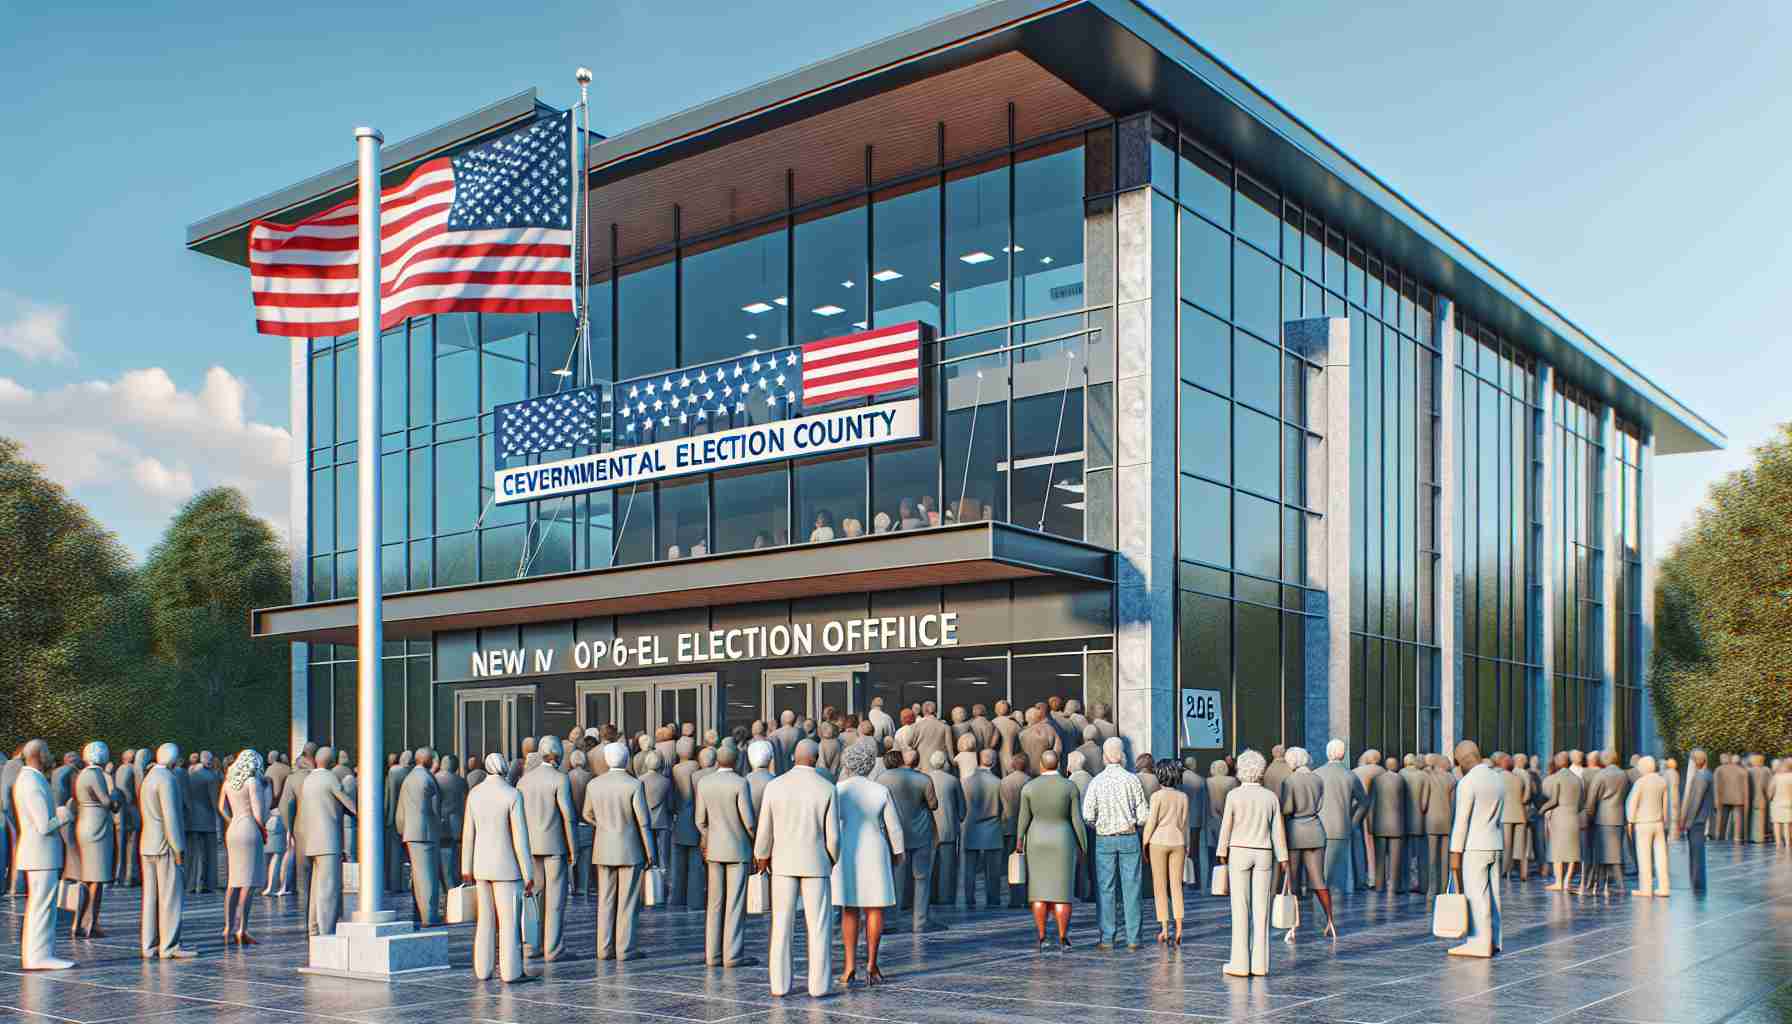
(148,446)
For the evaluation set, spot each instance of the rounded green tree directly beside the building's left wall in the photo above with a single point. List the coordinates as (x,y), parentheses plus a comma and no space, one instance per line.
(212,568)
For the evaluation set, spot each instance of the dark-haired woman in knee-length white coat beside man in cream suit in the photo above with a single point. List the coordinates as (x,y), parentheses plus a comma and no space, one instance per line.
(872,846)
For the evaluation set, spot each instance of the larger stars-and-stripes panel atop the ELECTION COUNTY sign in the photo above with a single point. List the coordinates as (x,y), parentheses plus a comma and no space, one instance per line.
(762,388)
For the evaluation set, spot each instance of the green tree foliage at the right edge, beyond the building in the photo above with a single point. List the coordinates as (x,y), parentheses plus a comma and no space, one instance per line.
(1723,659)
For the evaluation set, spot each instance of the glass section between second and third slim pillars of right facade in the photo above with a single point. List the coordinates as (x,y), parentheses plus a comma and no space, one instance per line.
(1580,566)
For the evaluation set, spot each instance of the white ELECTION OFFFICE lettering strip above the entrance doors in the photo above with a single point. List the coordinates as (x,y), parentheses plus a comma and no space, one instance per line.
(741,645)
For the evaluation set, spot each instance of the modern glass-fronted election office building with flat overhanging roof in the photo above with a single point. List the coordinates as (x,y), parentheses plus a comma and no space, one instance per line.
(1212,426)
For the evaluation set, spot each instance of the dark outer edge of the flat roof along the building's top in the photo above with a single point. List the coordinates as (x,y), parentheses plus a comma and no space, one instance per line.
(1126,58)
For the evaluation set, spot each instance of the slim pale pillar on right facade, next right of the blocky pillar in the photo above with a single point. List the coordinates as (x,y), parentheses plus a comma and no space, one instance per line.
(1449,546)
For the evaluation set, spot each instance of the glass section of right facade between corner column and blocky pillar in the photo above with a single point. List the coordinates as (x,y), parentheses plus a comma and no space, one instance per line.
(1243,263)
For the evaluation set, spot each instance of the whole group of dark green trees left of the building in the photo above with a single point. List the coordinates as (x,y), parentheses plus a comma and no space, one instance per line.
(92,647)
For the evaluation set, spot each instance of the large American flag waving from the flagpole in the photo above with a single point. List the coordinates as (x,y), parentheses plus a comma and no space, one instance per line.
(488,230)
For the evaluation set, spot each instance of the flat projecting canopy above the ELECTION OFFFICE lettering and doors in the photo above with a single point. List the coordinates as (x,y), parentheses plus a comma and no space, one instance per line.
(965,553)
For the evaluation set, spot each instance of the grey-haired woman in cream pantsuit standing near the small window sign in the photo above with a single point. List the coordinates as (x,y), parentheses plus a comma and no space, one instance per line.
(1254,842)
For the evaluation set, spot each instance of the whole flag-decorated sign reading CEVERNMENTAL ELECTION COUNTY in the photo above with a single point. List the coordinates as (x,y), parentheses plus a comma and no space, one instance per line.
(716,417)
